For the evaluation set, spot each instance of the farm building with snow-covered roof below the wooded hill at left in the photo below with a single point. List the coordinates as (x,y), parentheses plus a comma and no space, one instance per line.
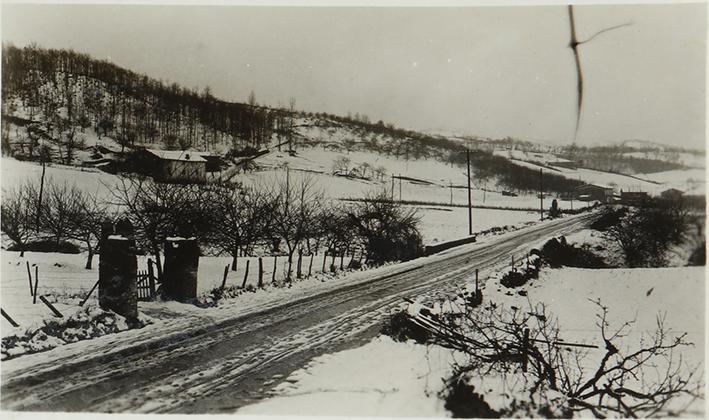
(177,165)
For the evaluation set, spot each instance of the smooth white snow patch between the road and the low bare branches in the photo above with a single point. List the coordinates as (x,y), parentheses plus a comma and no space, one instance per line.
(398,380)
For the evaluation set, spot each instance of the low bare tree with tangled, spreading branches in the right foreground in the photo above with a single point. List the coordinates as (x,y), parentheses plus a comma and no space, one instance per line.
(640,381)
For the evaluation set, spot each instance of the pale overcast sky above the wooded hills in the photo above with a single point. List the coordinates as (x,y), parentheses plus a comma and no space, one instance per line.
(492,71)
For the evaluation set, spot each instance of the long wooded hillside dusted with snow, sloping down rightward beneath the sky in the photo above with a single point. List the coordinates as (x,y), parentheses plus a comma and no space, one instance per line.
(57,94)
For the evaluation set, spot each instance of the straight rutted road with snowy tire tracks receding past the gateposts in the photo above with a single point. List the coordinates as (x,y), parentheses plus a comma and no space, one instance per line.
(223,366)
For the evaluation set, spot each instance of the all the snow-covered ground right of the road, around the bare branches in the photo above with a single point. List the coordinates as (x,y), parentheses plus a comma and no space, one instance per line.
(418,371)
